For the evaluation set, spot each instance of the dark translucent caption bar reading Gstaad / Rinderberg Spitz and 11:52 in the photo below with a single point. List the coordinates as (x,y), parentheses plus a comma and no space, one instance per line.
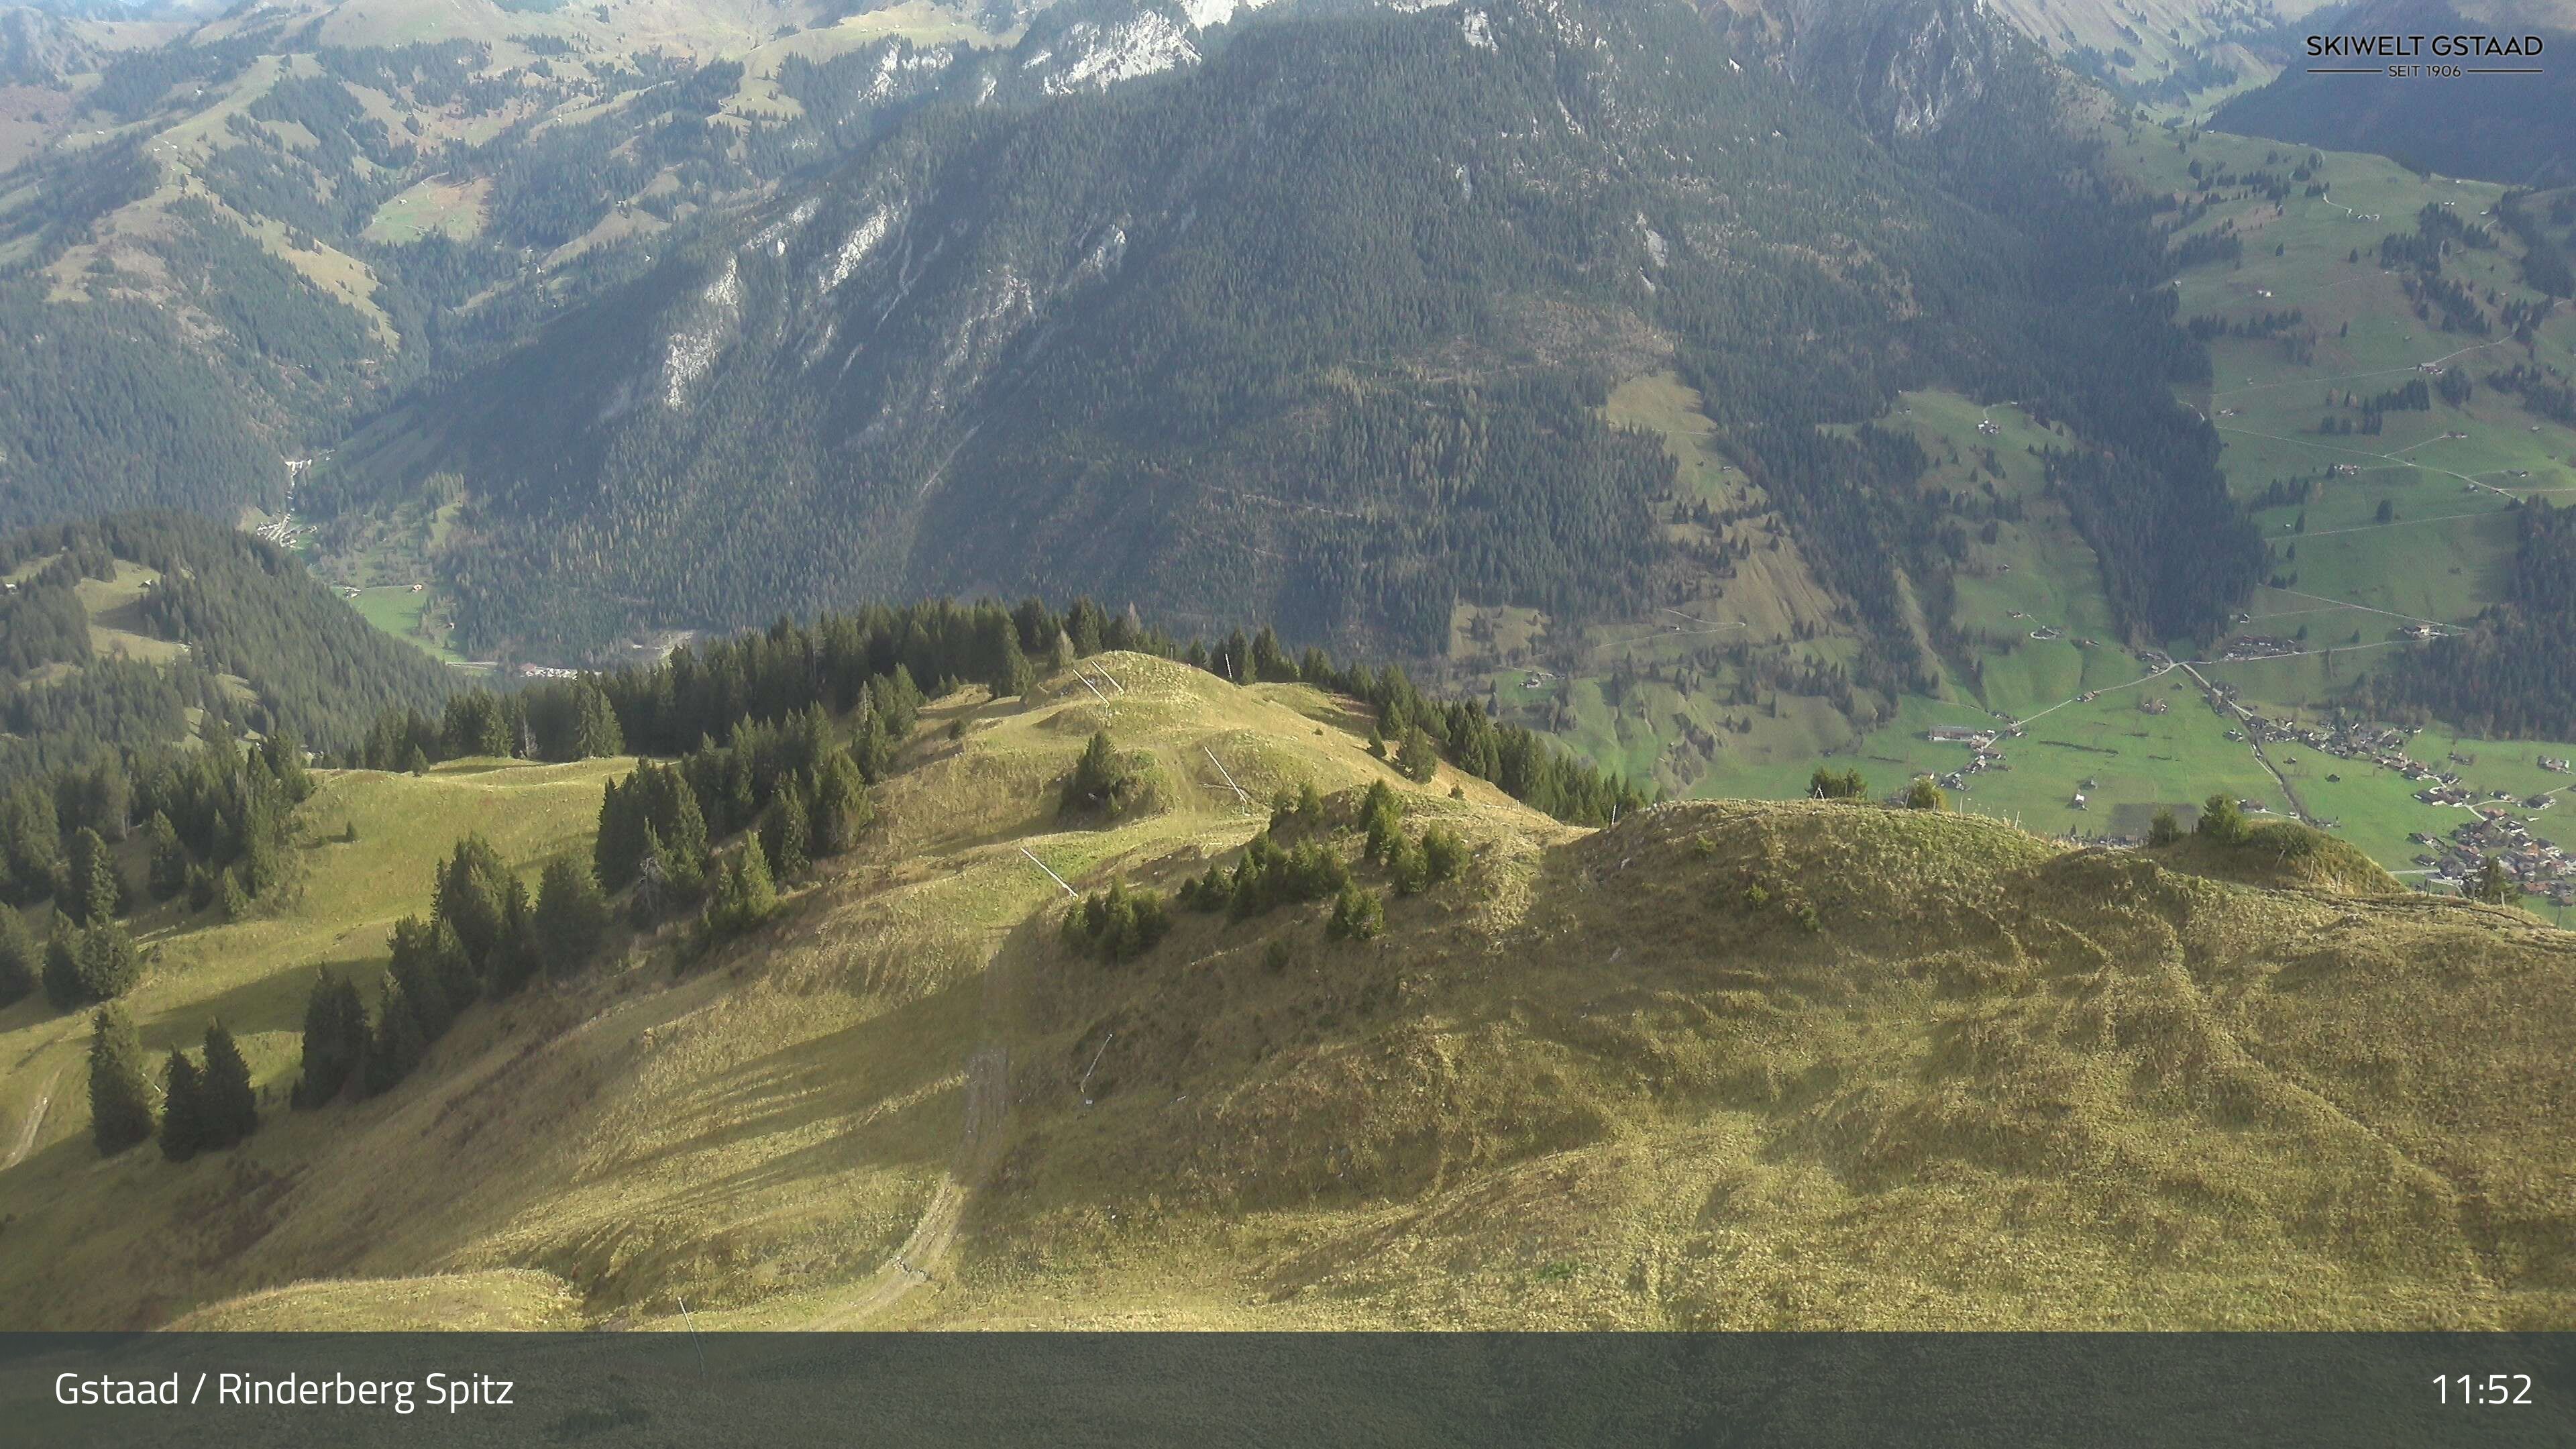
(1271,1388)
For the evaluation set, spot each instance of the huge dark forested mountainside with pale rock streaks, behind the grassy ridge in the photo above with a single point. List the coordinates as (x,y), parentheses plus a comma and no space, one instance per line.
(1312,336)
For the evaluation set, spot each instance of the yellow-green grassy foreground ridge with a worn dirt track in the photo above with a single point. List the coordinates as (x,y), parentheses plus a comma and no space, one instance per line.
(1604,1079)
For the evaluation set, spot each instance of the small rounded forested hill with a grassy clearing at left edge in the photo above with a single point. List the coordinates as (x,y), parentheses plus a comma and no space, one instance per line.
(267,648)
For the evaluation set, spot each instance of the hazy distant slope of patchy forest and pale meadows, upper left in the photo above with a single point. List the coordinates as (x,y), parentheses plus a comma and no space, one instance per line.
(202,293)
